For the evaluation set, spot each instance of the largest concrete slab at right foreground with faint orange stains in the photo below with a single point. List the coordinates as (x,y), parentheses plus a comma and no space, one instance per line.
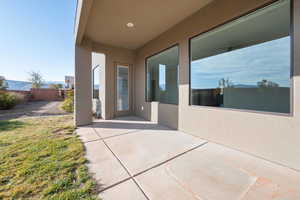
(215,172)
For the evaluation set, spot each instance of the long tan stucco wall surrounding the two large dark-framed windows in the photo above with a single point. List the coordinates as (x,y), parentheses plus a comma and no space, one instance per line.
(273,137)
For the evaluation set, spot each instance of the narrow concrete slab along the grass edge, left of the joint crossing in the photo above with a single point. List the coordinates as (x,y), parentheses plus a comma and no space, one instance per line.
(104,167)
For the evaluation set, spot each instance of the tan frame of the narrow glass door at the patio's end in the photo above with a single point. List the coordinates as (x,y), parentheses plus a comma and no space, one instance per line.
(130,89)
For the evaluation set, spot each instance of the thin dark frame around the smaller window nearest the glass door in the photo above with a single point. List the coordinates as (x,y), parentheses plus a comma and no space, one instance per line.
(146,72)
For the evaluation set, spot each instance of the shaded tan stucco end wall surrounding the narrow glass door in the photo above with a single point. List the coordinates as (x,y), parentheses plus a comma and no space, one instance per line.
(113,55)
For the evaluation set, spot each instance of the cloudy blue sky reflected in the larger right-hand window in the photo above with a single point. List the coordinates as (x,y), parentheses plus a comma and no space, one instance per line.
(245,67)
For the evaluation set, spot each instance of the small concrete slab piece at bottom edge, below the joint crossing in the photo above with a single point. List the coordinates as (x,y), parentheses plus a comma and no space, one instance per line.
(126,191)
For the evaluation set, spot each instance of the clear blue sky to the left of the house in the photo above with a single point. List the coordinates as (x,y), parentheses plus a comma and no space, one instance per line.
(37,35)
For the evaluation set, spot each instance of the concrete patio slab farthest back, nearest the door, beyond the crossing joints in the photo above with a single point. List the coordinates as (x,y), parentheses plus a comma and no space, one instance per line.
(142,150)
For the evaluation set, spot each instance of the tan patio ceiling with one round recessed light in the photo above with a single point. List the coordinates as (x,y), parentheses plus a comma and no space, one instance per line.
(105,21)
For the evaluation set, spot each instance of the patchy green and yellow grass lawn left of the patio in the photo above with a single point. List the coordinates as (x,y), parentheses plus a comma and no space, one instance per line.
(41,158)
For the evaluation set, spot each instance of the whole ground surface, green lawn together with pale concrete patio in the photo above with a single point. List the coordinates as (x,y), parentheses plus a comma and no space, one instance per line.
(130,159)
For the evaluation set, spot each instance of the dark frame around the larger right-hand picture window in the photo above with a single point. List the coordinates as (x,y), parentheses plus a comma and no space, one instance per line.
(291,113)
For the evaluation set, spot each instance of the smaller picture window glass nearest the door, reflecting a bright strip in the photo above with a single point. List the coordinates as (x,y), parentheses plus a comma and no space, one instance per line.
(162,77)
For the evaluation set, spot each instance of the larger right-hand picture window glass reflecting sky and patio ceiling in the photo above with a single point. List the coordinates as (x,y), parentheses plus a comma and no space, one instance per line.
(245,64)
